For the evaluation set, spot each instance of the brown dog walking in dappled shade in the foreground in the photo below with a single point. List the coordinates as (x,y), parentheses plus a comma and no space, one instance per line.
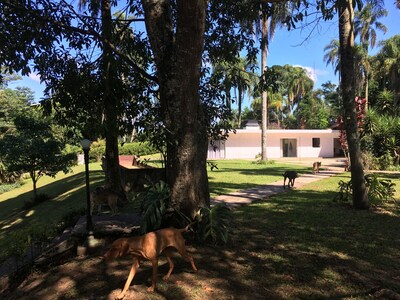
(150,246)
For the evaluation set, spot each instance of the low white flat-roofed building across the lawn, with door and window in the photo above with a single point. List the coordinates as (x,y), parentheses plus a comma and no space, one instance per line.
(299,143)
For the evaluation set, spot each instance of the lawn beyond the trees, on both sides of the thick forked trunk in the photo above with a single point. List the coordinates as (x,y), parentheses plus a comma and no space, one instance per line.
(69,196)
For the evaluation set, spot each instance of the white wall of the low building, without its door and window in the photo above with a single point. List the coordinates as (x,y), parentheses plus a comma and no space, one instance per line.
(246,144)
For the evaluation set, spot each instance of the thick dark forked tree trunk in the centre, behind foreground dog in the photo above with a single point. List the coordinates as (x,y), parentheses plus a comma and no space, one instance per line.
(178,62)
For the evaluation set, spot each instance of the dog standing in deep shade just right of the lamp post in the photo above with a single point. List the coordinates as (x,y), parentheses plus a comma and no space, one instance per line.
(104,196)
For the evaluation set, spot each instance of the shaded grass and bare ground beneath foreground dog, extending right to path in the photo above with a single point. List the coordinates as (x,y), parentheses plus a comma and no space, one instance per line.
(295,245)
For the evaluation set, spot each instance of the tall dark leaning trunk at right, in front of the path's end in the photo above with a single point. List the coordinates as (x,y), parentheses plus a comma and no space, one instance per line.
(348,84)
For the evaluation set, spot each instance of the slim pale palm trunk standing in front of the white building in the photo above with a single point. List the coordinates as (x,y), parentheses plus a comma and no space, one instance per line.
(264,96)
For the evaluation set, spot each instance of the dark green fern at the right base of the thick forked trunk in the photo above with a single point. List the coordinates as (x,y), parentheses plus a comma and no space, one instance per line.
(213,223)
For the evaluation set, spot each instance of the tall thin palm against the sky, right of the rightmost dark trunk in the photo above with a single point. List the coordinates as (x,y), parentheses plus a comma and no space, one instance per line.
(366,21)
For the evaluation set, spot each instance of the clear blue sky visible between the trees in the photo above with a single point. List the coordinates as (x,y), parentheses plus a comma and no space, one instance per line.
(295,47)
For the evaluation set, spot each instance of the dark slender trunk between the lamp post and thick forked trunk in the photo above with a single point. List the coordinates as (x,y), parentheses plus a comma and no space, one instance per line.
(112,171)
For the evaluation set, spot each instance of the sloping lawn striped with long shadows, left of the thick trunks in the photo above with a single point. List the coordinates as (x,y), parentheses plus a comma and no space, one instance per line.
(67,193)
